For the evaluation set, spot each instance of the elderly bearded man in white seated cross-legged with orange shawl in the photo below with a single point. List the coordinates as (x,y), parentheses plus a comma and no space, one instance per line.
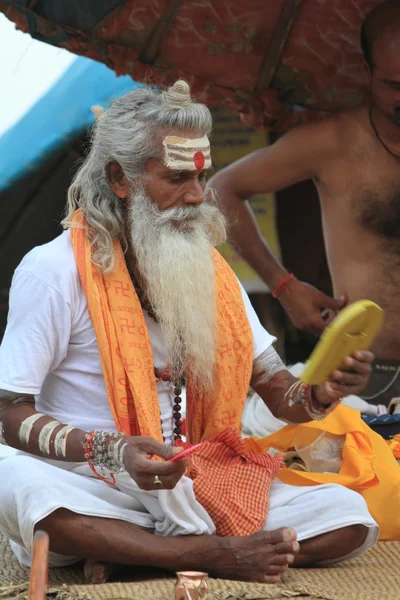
(107,322)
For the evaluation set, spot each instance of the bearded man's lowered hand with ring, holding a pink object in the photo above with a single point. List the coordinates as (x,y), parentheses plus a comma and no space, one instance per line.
(138,463)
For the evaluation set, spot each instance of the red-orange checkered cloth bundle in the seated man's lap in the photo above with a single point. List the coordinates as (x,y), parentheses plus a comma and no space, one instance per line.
(233,484)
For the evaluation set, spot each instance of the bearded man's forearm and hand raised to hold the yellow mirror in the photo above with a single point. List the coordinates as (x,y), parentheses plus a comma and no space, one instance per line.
(293,402)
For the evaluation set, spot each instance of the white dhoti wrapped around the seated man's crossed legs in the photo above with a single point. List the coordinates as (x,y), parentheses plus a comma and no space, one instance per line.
(32,489)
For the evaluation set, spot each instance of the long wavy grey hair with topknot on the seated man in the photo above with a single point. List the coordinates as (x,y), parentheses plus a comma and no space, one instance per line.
(130,133)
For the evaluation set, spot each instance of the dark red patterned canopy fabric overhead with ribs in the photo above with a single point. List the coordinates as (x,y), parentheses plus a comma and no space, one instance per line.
(262,58)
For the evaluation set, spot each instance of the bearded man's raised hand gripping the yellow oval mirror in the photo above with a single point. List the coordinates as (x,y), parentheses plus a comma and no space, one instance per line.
(345,383)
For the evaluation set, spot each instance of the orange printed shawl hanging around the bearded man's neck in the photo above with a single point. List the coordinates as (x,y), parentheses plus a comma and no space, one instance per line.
(126,354)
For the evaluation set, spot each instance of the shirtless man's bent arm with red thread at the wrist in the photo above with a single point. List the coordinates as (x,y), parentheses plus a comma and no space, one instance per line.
(299,155)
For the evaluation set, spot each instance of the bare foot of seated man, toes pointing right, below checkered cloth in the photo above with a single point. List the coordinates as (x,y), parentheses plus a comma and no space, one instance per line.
(261,557)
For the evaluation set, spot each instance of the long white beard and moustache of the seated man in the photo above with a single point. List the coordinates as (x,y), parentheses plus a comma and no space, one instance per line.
(173,253)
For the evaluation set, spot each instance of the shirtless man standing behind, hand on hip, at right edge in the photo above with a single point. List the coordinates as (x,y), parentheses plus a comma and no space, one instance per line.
(353,157)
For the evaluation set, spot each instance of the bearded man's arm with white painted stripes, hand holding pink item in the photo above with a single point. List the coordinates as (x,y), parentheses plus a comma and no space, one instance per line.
(24,428)
